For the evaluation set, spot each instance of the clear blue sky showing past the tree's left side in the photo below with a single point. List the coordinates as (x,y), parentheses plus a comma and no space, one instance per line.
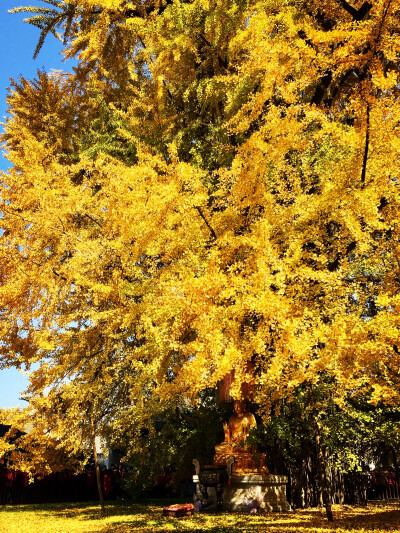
(17,43)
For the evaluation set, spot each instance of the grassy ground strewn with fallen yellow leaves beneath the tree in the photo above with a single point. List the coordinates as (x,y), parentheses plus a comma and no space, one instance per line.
(145,517)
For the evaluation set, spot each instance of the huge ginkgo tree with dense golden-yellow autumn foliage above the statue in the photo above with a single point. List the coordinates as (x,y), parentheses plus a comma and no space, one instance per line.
(215,184)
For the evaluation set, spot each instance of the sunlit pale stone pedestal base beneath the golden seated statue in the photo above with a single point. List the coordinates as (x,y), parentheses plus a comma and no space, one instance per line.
(265,492)
